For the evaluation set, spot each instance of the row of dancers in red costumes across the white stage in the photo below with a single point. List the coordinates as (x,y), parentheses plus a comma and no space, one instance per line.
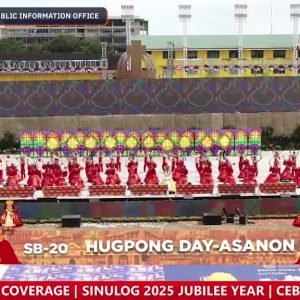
(54,173)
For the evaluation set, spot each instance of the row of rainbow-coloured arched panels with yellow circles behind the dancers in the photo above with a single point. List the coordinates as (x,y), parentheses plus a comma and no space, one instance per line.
(41,143)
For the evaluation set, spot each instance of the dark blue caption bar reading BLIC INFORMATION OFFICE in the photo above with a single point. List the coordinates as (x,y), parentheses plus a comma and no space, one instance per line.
(53,16)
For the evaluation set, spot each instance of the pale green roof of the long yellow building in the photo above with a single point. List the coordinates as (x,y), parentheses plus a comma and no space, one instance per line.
(275,41)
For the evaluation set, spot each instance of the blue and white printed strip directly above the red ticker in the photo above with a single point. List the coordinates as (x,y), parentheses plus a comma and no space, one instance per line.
(149,273)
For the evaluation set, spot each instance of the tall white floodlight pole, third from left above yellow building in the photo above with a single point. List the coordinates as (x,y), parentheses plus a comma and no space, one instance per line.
(240,15)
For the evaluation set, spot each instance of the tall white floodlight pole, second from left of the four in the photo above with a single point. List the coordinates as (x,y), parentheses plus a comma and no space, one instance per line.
(185,16)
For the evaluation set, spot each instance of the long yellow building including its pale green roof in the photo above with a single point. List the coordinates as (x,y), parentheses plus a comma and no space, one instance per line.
(217,55)
